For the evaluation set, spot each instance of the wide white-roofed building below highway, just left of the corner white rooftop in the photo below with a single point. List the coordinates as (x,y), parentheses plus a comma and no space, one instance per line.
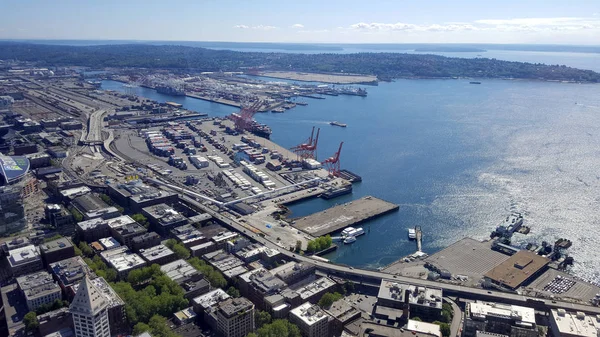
(510,320)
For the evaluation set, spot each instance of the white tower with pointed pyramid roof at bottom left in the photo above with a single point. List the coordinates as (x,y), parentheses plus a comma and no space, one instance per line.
(89,311)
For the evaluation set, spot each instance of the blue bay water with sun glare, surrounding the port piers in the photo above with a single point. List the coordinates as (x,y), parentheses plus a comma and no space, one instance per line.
(457,158)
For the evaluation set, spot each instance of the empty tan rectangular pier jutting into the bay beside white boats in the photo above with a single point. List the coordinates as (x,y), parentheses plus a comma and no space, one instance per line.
(342,216)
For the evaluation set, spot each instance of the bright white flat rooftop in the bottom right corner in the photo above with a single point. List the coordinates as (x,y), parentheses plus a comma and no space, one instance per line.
(576,324)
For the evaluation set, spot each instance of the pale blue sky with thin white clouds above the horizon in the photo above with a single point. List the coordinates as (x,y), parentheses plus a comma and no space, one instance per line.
(306,21)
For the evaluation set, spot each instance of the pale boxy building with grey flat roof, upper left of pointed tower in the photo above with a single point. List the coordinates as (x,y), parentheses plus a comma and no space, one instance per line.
(38,289)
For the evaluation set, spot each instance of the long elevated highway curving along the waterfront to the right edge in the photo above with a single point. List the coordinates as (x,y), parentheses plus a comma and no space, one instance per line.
(373,277)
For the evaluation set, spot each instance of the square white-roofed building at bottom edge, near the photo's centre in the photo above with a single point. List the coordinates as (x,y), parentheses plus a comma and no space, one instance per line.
(312,321)
